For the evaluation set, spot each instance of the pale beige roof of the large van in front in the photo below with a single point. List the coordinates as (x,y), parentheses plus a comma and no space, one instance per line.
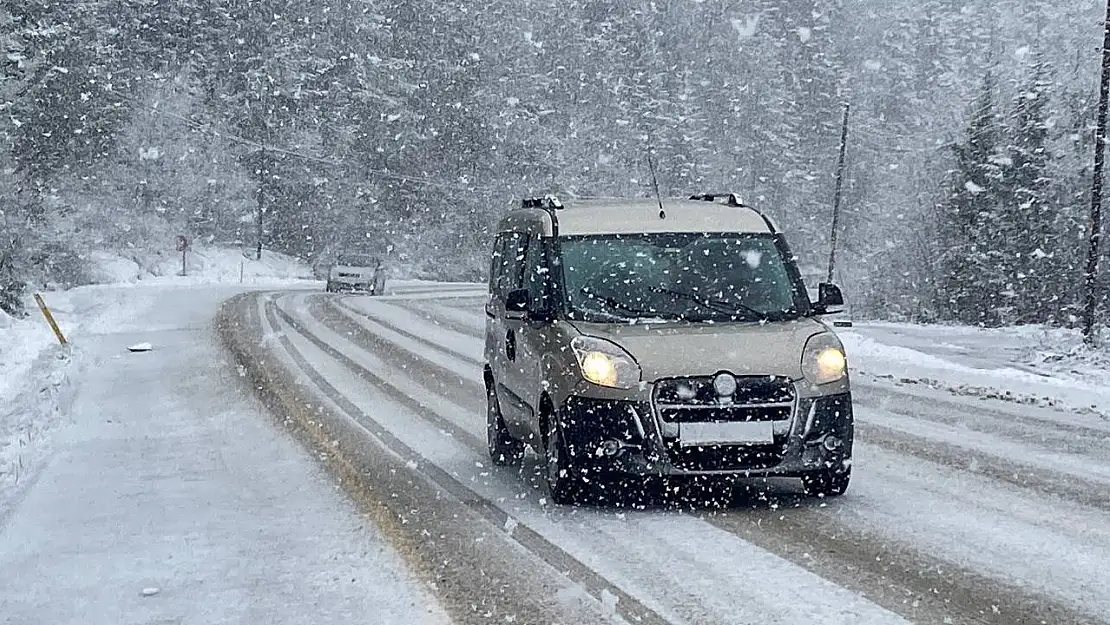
(639,216)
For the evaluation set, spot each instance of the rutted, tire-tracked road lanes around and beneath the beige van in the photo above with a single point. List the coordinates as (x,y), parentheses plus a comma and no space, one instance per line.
(963,511)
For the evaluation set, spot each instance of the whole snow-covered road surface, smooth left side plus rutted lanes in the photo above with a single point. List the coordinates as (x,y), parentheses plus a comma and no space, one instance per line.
(171,478)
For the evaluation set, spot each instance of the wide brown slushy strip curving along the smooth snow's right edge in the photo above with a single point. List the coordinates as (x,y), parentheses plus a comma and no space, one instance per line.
(473,568)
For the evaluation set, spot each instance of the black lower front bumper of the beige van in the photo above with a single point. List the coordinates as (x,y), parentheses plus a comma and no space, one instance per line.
(628,438)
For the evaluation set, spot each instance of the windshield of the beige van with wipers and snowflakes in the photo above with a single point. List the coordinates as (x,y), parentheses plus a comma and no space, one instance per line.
(679,277)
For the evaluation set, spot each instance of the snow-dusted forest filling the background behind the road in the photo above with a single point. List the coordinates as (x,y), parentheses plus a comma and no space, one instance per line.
(411,126)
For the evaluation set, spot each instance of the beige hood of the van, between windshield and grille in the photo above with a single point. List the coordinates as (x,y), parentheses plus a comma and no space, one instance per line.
(681,350)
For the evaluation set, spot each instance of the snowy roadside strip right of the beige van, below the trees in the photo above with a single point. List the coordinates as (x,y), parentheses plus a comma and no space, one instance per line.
(1027,365)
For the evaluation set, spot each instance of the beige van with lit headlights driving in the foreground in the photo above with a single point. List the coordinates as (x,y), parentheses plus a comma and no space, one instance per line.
(628,339)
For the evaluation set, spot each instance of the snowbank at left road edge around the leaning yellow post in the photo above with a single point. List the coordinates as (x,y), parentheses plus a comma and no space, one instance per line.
(36,372)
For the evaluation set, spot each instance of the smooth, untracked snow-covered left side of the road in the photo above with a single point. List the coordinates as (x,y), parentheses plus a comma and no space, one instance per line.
(175,498)
